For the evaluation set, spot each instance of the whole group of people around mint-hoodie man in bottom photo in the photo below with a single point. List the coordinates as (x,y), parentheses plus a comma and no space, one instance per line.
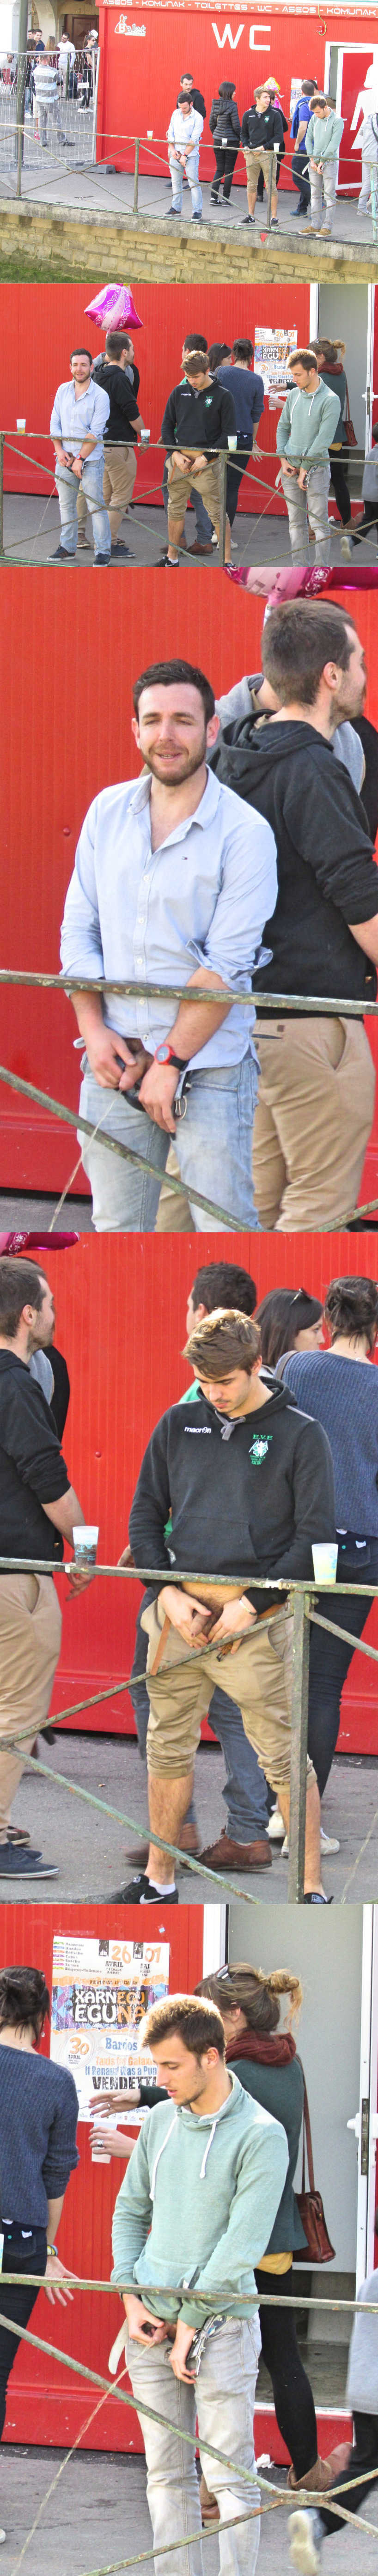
(220,2145)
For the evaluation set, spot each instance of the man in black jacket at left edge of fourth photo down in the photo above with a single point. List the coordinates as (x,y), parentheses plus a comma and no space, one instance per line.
(37,1513)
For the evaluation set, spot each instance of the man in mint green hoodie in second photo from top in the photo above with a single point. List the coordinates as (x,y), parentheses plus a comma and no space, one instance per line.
(305,437)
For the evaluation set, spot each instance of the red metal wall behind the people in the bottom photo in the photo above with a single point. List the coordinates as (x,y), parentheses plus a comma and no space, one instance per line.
(45,2405)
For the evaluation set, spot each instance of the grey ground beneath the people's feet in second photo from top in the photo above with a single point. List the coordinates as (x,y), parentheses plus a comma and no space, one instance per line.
(32,535)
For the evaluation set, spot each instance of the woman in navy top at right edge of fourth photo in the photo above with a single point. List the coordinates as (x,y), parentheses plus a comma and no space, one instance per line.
(338,1387)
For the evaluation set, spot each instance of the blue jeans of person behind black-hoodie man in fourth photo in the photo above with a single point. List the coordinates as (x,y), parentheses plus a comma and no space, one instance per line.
(246,1789)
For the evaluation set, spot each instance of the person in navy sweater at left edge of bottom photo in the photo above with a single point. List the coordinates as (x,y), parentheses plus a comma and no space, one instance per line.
(37,2157)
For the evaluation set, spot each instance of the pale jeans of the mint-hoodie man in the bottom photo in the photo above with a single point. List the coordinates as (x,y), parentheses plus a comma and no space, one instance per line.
(225,2405)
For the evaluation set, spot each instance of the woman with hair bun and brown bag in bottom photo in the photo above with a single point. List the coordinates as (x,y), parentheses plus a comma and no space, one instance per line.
(266,2062)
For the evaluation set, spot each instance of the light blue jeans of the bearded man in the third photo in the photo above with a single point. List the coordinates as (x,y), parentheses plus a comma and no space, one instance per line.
(212,1142)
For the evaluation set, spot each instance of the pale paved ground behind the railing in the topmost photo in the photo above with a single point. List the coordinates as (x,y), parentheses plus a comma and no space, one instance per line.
(112,192)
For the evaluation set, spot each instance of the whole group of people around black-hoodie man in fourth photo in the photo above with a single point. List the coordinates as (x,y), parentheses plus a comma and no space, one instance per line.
(248,1511)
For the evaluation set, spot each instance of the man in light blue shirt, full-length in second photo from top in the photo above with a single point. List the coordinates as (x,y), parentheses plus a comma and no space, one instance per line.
(78,421)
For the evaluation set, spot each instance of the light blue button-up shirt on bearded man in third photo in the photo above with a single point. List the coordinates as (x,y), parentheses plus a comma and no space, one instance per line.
(150,916)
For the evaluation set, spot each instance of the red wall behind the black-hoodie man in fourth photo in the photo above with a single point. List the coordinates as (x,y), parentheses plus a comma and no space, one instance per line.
(122,1328)
